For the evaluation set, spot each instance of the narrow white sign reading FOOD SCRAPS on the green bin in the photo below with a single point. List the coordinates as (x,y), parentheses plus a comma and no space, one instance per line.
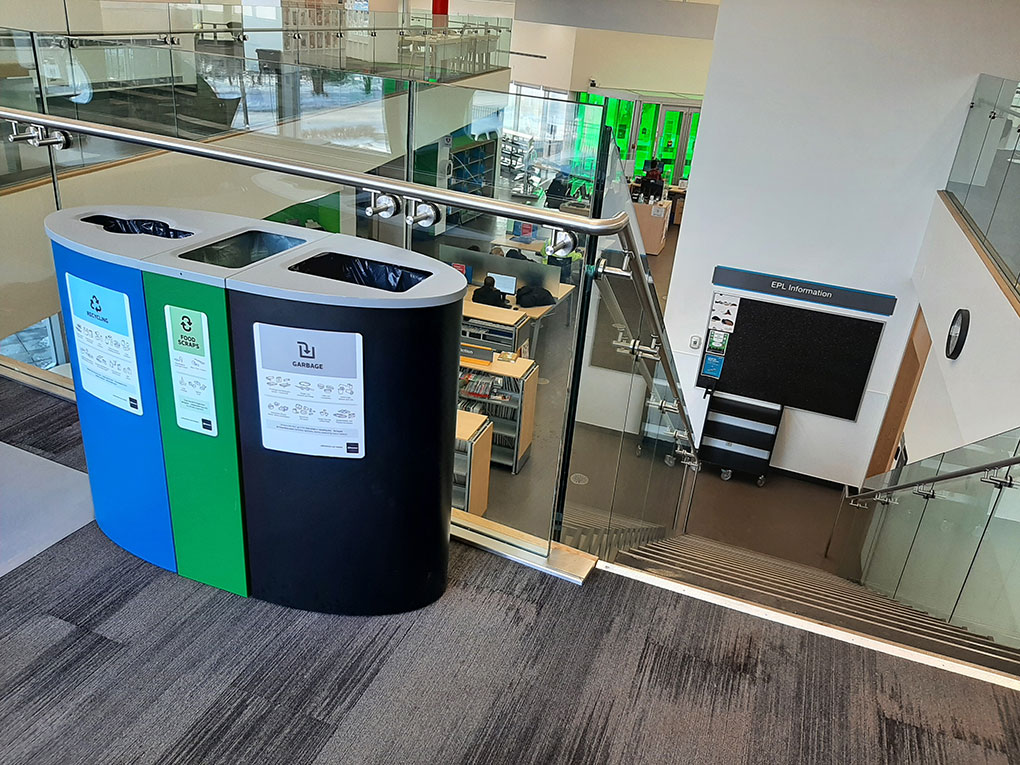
(191,370)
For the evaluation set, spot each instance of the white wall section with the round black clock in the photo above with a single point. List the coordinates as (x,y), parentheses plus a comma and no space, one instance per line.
(975,396)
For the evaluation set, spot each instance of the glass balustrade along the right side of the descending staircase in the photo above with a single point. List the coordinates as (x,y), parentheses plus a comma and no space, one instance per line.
(939,535)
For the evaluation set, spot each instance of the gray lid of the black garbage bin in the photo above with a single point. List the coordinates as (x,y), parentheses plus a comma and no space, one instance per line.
(435,283)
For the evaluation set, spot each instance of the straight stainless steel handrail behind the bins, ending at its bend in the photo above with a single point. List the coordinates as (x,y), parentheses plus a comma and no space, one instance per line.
(540,216)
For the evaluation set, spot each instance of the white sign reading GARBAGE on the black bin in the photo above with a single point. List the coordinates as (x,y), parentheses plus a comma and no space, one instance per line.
(311,391)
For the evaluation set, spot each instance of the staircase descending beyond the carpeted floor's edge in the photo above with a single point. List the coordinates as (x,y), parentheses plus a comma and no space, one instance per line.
(813,594)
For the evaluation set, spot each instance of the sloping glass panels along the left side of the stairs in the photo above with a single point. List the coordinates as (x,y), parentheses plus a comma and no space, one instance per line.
(628,481)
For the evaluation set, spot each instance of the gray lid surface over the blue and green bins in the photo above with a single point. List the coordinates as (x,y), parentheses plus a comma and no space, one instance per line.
(162,254)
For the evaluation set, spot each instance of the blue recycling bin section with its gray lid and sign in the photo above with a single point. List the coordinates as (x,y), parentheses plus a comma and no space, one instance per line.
(96,253)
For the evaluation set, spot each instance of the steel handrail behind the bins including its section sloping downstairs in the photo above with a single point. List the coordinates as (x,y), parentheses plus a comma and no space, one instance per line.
(619,225)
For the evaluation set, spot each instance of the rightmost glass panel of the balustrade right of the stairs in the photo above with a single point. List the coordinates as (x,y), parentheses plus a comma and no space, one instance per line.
(990,603)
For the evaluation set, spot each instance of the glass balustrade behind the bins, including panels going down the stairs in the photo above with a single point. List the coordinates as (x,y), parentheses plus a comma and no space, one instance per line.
(533,370)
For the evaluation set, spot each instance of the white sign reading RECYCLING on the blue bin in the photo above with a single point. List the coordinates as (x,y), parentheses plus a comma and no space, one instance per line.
(105,343)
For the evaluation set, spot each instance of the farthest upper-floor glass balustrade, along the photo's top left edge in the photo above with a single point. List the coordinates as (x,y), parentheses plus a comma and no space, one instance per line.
(411,46)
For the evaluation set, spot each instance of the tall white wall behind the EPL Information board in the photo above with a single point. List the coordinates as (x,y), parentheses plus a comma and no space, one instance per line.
(827,130)
